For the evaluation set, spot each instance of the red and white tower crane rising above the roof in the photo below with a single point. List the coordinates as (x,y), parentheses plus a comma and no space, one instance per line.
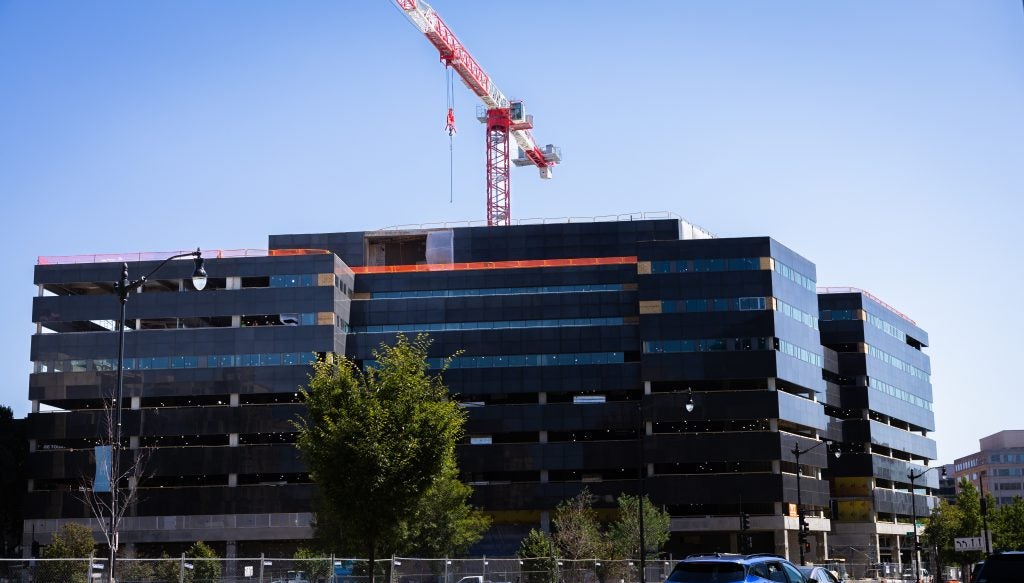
(501,117)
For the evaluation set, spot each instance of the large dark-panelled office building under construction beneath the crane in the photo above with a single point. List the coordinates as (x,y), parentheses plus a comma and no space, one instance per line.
(580,347)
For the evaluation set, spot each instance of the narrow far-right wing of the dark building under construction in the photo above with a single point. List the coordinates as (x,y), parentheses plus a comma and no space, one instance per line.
(879,400)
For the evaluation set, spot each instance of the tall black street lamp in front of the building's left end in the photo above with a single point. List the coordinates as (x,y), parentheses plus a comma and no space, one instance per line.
(123,288)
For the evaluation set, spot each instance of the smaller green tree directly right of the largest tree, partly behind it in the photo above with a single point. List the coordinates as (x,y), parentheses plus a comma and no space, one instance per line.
(444,524)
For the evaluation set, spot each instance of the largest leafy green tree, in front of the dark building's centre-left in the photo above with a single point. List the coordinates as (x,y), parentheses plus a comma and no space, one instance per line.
(375,442)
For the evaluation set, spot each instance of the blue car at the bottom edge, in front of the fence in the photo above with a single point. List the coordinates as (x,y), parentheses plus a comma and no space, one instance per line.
(729,568)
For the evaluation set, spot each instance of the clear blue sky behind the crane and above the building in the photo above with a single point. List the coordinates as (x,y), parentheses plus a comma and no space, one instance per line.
(881,140)
